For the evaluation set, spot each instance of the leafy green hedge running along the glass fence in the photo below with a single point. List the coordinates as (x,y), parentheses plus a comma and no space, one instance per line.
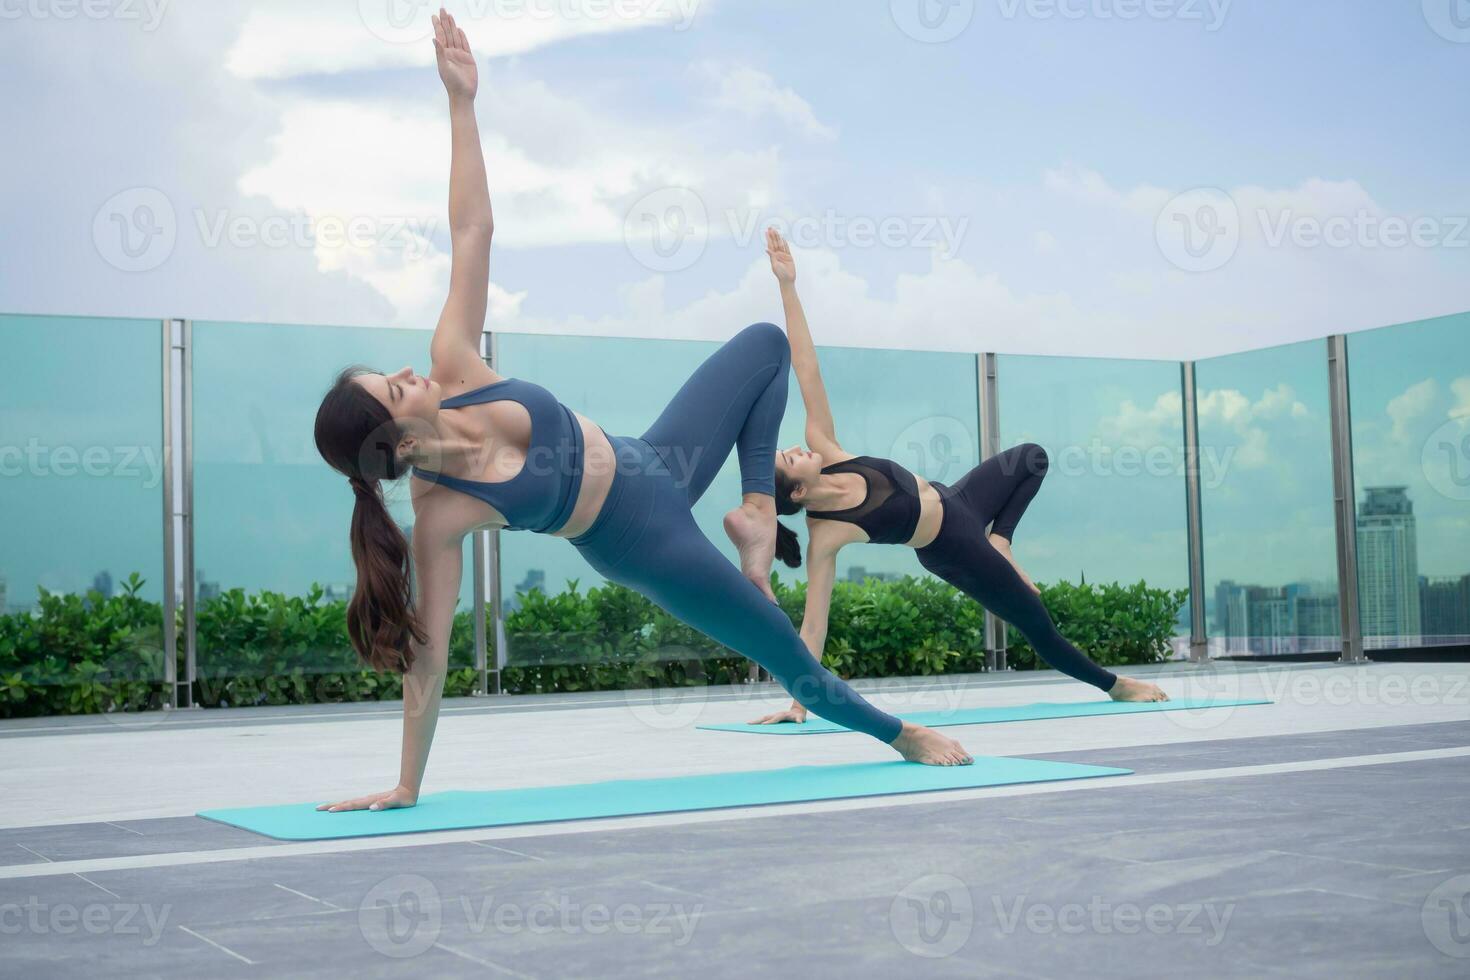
(82,655)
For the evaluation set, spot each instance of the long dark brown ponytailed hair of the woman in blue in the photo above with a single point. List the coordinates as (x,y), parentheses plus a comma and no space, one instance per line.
(358,437)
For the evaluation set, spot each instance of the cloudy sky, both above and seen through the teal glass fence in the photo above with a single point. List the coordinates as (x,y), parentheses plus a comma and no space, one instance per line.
(1059,183)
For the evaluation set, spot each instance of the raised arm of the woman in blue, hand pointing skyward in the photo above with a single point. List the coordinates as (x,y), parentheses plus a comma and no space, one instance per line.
(456,339)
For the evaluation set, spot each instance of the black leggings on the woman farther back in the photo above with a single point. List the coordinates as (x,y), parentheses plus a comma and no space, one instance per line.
(999,490)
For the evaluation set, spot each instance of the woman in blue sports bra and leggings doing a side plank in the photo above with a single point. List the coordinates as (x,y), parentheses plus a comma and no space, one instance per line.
(490,452)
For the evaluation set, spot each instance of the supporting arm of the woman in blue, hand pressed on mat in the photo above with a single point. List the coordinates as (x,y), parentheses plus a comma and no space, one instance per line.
(439,561)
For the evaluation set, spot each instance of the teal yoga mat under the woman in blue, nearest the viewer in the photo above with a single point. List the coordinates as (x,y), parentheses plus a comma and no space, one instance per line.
(462,810)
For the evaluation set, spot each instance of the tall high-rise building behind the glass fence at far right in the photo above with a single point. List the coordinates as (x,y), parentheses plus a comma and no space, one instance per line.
(1388,568)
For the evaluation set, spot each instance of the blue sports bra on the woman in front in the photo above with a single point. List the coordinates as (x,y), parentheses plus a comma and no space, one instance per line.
(543,494)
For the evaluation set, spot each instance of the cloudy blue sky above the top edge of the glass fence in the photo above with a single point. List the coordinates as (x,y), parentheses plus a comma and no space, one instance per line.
(1169,181)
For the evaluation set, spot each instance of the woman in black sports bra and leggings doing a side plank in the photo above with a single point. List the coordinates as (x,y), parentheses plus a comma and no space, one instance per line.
(862,499)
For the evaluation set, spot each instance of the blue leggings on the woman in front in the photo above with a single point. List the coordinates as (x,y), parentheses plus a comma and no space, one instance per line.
(646,537)
